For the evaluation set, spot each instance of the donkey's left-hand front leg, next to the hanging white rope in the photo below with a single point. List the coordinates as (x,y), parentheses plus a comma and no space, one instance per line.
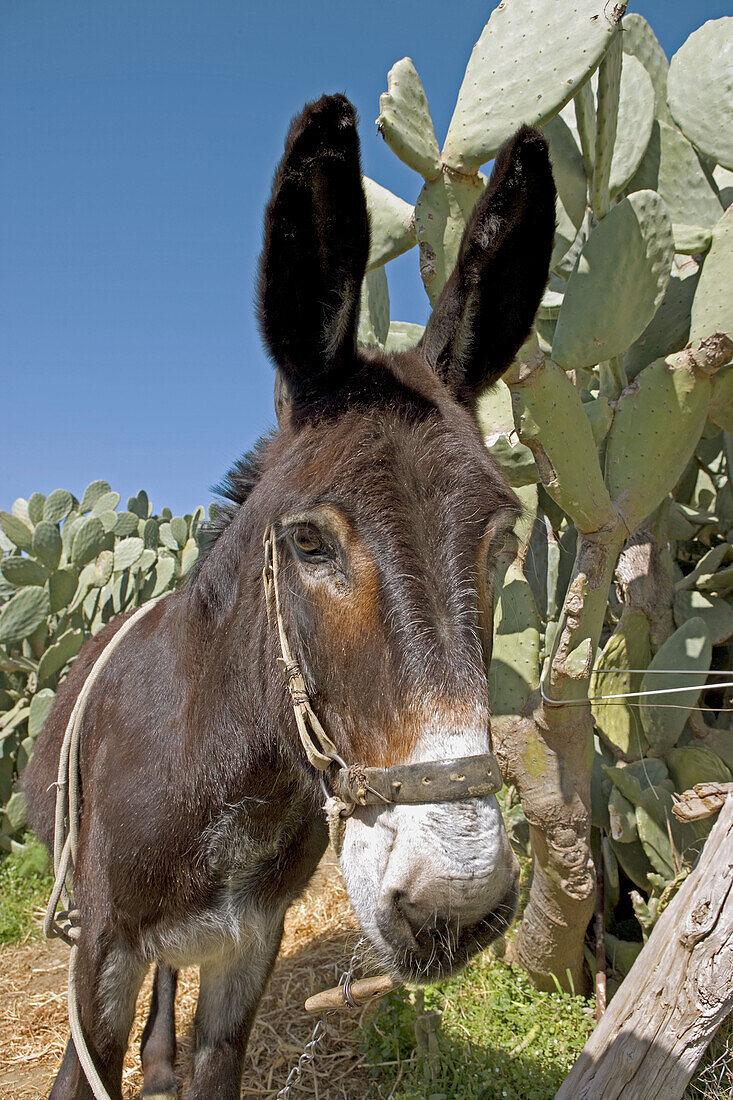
(108,981)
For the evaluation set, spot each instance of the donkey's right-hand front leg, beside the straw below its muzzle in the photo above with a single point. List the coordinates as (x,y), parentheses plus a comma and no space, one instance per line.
(229,995)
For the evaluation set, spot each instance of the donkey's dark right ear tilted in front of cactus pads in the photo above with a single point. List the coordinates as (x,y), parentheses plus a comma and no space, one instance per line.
(489,304)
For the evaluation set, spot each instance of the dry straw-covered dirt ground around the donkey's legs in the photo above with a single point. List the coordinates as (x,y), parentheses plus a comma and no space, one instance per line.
(319,942)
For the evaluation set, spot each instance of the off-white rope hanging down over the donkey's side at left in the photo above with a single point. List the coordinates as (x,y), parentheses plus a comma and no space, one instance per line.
(65,923)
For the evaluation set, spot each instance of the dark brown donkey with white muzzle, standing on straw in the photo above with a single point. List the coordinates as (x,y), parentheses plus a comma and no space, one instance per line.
(202,819)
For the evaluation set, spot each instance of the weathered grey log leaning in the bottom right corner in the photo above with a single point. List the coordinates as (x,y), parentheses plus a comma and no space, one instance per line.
(676,996)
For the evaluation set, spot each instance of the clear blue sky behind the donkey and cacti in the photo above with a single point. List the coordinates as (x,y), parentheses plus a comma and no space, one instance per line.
(139,139)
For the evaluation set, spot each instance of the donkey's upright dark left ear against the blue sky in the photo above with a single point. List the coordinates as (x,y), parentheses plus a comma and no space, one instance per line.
(316,246)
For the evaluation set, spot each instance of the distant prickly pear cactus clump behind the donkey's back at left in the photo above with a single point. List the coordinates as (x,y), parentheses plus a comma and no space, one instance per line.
(68,567)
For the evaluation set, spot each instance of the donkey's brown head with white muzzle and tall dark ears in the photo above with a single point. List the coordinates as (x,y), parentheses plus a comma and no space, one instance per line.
(390,519)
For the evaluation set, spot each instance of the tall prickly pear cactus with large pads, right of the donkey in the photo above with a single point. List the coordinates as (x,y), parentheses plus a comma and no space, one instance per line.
(632,360)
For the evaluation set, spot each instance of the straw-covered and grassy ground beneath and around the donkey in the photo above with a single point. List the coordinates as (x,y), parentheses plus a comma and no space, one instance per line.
(486,1036)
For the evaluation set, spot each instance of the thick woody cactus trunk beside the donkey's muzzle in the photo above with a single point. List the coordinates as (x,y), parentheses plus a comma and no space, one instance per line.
(549,756)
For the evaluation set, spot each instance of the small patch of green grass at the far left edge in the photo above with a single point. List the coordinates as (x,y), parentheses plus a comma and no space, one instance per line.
(25,886)
